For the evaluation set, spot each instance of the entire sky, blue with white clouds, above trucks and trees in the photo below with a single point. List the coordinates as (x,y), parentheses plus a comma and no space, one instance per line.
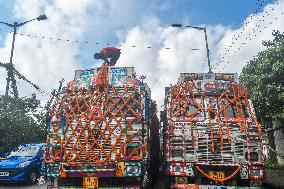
(49,50)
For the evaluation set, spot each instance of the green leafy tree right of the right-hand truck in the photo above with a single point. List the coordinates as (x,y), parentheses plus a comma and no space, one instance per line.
(264,77)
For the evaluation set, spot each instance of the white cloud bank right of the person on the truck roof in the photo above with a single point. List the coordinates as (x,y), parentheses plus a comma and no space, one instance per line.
(162,66)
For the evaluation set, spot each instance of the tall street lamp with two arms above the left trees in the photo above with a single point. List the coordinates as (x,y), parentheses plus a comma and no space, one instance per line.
(10,64)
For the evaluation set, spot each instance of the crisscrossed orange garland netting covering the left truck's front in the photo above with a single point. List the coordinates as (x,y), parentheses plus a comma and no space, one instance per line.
(100,112)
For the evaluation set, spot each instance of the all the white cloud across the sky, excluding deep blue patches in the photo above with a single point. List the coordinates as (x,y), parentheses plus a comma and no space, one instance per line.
(45,61)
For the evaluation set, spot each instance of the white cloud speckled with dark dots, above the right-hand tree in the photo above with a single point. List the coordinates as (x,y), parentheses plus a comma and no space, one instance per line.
(259,27)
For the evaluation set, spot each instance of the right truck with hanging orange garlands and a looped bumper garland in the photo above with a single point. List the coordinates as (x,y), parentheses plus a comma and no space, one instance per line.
(211,137)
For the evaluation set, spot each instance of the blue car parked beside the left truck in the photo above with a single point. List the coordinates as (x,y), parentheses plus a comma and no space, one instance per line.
(24,164)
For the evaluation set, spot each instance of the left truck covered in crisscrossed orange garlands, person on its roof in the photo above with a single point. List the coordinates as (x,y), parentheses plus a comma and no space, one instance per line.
(98,131)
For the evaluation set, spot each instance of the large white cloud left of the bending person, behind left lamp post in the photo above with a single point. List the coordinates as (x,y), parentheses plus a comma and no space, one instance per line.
(45,61)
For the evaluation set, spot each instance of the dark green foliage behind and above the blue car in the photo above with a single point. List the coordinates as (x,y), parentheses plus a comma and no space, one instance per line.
(20,122)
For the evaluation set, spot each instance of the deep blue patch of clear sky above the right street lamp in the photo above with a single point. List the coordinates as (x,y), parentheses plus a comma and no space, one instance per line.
(210,12)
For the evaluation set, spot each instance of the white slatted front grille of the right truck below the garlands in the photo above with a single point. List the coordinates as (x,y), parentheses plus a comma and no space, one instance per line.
(199,146)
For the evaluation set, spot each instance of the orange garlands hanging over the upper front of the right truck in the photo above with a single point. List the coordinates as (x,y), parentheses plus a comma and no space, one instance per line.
(184,94)
